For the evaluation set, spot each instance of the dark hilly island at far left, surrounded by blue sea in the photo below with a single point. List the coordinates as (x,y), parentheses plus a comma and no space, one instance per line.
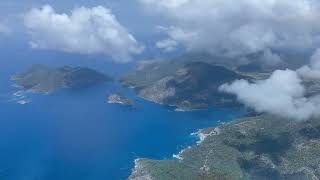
(43,79)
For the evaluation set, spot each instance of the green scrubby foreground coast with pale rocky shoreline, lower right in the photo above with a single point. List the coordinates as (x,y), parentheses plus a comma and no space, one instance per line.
(263,147)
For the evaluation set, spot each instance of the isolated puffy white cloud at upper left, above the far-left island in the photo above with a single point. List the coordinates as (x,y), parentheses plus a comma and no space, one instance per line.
(85,30)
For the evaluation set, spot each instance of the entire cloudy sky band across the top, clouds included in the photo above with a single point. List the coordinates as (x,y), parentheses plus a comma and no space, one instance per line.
(223,27)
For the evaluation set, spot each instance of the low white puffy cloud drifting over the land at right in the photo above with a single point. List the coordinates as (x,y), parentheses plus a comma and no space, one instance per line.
(282,94)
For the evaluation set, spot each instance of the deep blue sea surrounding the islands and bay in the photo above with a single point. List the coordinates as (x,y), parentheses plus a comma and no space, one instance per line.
(77,135)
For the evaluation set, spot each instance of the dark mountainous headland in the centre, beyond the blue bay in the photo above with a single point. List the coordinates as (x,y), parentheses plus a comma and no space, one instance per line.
(188,83)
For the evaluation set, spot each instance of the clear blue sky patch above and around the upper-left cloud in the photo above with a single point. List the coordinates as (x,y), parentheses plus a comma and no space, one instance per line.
(129,13)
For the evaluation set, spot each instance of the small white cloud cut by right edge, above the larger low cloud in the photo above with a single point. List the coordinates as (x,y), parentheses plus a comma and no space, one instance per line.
(311,71)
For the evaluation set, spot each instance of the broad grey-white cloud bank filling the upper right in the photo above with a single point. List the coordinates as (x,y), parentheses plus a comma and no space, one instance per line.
(237,28)
